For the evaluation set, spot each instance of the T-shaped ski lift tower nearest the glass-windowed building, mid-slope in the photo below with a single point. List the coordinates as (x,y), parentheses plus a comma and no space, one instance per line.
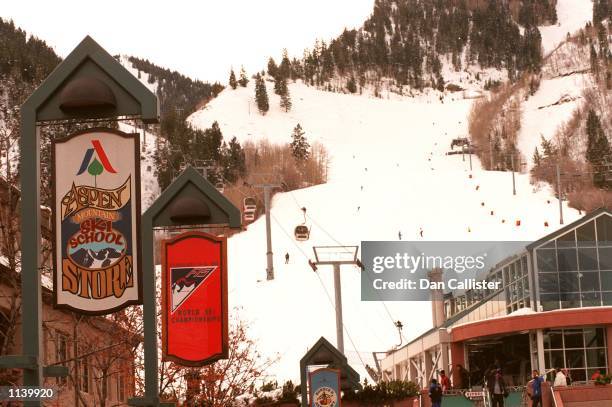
(336,256)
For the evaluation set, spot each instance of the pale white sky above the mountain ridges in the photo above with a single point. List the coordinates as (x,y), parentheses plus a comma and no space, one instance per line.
(201,39)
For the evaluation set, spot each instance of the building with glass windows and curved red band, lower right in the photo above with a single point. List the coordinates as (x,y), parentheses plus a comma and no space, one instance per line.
(554,310)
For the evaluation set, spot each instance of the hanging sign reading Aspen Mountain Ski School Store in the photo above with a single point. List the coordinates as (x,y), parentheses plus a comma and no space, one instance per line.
(96,221)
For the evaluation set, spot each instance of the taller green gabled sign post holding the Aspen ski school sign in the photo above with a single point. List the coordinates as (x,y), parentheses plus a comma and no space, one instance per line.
(88,86)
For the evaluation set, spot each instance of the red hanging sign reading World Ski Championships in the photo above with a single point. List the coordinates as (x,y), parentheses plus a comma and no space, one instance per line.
(194,299)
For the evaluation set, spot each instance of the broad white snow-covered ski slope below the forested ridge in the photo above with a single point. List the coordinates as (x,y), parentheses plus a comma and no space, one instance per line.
(396,151)
